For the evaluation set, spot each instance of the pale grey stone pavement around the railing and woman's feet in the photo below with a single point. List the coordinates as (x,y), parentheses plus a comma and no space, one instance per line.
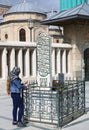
(6,118)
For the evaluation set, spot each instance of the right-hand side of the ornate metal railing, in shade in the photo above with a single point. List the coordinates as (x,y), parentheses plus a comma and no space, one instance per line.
(71,102)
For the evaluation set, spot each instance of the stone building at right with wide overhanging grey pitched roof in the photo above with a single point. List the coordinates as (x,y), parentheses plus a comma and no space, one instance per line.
(75,22)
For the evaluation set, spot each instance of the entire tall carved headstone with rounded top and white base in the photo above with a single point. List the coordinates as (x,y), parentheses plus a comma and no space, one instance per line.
(43,60)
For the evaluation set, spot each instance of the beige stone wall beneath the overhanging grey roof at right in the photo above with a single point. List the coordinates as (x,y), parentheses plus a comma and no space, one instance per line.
(78,36)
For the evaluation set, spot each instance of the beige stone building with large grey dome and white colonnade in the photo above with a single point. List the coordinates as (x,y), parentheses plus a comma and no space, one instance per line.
(19,28)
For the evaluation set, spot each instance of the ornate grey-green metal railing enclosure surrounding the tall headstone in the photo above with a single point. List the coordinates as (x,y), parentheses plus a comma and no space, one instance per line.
(59,106)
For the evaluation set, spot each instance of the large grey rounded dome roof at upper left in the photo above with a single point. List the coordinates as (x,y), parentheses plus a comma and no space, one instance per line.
(25,7)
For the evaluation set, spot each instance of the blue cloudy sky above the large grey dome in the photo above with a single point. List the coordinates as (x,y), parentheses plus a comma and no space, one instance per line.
(45,4)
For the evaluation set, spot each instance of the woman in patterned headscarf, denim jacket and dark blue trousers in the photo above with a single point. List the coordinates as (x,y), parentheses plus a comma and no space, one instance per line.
(15,90)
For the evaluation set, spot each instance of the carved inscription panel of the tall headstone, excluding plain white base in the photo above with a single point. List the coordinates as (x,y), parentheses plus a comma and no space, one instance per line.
(43,54)
